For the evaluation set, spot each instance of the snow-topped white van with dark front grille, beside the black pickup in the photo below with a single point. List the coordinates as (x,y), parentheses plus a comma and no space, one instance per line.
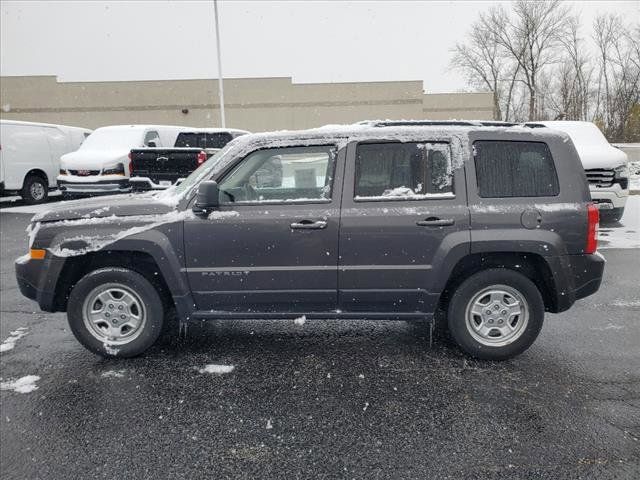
(102,165)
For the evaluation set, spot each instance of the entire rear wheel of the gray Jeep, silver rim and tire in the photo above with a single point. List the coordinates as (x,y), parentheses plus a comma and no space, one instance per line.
(495,314)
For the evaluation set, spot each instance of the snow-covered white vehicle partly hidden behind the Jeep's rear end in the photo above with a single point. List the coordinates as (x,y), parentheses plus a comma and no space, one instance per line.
(606,166)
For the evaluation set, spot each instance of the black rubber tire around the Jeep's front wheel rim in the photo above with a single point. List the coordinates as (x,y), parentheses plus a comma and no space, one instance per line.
(146,293)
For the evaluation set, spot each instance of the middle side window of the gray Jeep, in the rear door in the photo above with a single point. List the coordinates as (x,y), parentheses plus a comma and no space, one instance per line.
(410,171)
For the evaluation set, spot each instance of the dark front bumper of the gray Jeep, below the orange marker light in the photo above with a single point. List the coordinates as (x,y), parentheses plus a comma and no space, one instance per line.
(37,280)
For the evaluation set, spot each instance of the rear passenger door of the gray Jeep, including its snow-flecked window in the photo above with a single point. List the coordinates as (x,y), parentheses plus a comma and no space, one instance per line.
(403,208)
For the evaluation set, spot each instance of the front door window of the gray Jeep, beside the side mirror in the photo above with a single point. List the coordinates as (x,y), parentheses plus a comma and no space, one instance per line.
(287,174)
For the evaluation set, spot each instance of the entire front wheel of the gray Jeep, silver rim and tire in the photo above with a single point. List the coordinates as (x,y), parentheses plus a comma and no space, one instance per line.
(115,312)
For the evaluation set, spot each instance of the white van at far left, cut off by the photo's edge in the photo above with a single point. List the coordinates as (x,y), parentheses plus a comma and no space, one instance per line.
(30,156)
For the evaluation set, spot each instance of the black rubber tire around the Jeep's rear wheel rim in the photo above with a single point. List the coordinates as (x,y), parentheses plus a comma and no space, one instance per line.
(461,300)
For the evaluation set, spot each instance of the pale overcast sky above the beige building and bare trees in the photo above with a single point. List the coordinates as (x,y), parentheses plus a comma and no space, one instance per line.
(309,41)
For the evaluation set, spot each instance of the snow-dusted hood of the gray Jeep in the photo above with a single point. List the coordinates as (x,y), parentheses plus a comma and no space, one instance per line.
(118,205)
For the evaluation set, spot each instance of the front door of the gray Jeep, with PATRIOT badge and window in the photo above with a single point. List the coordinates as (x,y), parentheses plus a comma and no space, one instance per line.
(272,246)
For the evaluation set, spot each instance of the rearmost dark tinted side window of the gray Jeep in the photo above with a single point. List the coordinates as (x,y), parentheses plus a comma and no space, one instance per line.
(515,169)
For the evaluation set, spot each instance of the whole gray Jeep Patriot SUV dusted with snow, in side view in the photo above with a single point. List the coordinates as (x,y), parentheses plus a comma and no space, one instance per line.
(491,224)
